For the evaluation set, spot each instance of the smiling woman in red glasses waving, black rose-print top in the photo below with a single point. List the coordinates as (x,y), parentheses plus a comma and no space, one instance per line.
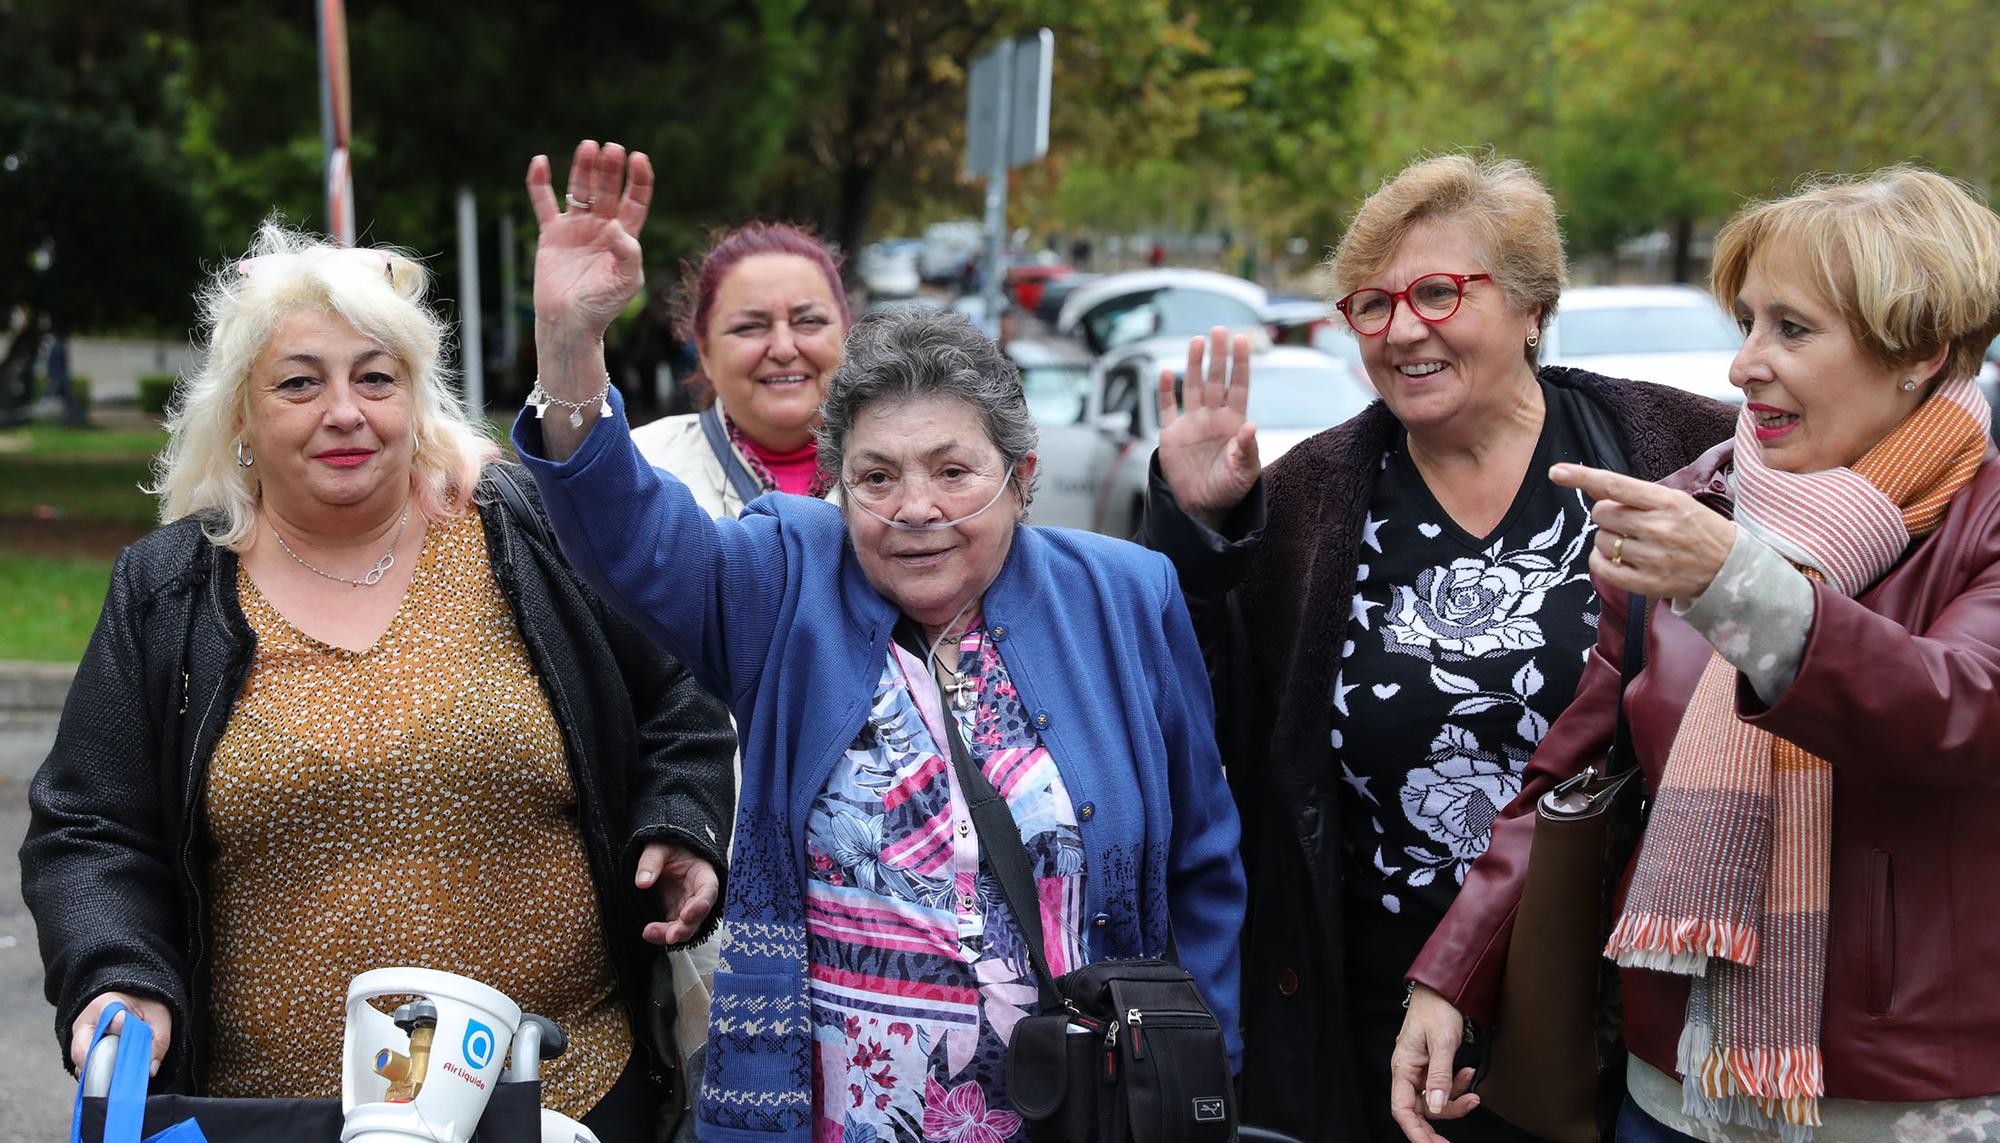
(1397,610)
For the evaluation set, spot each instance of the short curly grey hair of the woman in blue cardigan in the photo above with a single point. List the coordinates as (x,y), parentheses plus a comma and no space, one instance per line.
(905,355)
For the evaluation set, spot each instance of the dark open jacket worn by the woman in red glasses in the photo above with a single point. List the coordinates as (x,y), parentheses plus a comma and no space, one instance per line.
(1271,600)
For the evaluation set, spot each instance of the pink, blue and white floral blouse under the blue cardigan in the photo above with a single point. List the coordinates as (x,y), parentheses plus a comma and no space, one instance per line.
(917,968)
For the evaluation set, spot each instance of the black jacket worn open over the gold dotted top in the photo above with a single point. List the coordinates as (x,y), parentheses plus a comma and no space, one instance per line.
(115,858)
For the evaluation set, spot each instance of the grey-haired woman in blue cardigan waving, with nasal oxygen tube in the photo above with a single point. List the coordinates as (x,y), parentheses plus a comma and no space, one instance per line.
(873,972)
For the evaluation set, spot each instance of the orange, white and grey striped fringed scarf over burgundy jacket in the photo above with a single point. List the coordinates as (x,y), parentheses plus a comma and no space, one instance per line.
(1733,876)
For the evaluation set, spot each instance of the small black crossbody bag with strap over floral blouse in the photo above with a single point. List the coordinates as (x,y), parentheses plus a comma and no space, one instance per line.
(1119,1050)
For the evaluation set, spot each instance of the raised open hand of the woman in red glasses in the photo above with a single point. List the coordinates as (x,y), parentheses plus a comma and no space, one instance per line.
(1207,443)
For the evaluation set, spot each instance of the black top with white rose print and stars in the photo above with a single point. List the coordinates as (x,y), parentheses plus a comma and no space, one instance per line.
(1459,654)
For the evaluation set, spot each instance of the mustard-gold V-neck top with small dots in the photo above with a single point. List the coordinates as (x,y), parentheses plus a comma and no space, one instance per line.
(399,806)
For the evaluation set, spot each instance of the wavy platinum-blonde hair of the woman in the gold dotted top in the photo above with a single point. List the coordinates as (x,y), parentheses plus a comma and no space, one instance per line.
(377,291)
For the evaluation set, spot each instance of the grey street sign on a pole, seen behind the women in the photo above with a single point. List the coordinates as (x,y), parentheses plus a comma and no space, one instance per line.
(1007,127)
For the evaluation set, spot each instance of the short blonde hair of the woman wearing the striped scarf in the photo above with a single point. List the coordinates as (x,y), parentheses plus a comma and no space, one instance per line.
(1909,257)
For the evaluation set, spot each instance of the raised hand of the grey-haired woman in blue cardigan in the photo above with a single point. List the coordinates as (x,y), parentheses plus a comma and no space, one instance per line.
(587,263)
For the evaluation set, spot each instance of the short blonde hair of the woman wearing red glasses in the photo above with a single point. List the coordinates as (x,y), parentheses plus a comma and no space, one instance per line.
(1501,203)
